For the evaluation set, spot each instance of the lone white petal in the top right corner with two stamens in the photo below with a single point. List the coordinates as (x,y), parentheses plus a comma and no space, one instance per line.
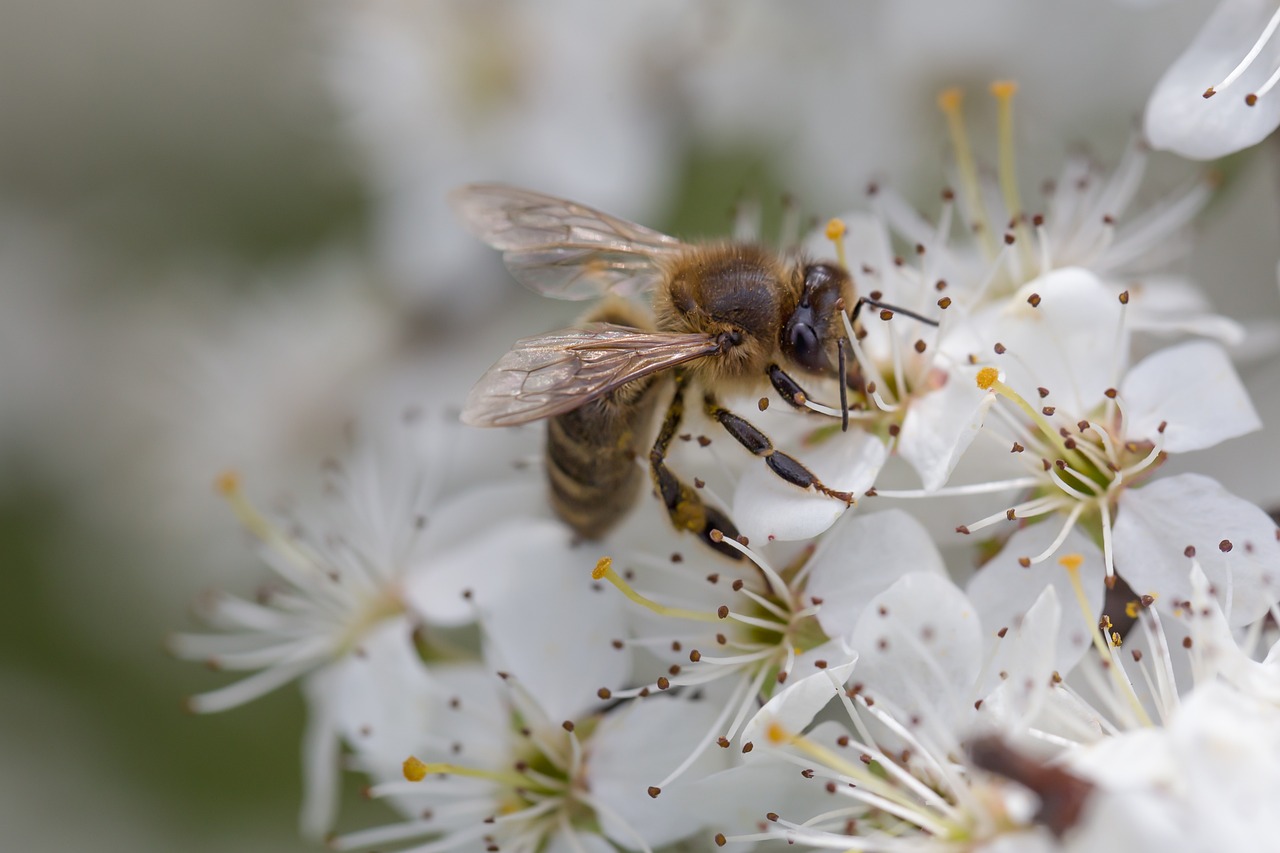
(1180,118)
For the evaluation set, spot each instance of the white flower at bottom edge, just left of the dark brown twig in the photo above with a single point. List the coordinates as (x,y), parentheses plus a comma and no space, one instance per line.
(895,772)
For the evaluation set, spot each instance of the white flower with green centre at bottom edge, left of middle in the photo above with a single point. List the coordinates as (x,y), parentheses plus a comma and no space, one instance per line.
(492,769)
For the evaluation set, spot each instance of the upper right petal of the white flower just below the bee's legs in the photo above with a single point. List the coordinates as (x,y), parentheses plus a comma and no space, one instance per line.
(862,558)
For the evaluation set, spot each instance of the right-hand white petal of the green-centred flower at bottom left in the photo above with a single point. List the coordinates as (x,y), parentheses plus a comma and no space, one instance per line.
(638,746)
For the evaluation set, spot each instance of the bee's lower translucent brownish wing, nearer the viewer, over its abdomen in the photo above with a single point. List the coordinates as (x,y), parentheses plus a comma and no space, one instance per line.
(551,375)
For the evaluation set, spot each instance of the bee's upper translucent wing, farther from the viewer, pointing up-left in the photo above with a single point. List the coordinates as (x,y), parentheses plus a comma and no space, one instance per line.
(560,248)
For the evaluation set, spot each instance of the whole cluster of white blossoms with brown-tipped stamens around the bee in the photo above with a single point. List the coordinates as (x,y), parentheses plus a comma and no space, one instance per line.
(830,678)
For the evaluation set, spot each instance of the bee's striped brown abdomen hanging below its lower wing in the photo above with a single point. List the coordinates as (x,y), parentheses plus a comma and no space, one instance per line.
(592,458)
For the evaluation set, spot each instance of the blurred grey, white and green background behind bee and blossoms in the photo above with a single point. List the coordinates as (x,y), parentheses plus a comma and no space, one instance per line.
(223,236)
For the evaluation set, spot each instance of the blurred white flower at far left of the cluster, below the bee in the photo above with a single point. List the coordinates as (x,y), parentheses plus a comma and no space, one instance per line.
(373,559)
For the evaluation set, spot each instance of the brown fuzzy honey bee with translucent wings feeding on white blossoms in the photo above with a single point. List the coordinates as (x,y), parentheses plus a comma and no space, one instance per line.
(728,316)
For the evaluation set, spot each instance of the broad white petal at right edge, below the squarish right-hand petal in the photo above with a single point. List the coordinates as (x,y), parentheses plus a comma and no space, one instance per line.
(1158,523)
